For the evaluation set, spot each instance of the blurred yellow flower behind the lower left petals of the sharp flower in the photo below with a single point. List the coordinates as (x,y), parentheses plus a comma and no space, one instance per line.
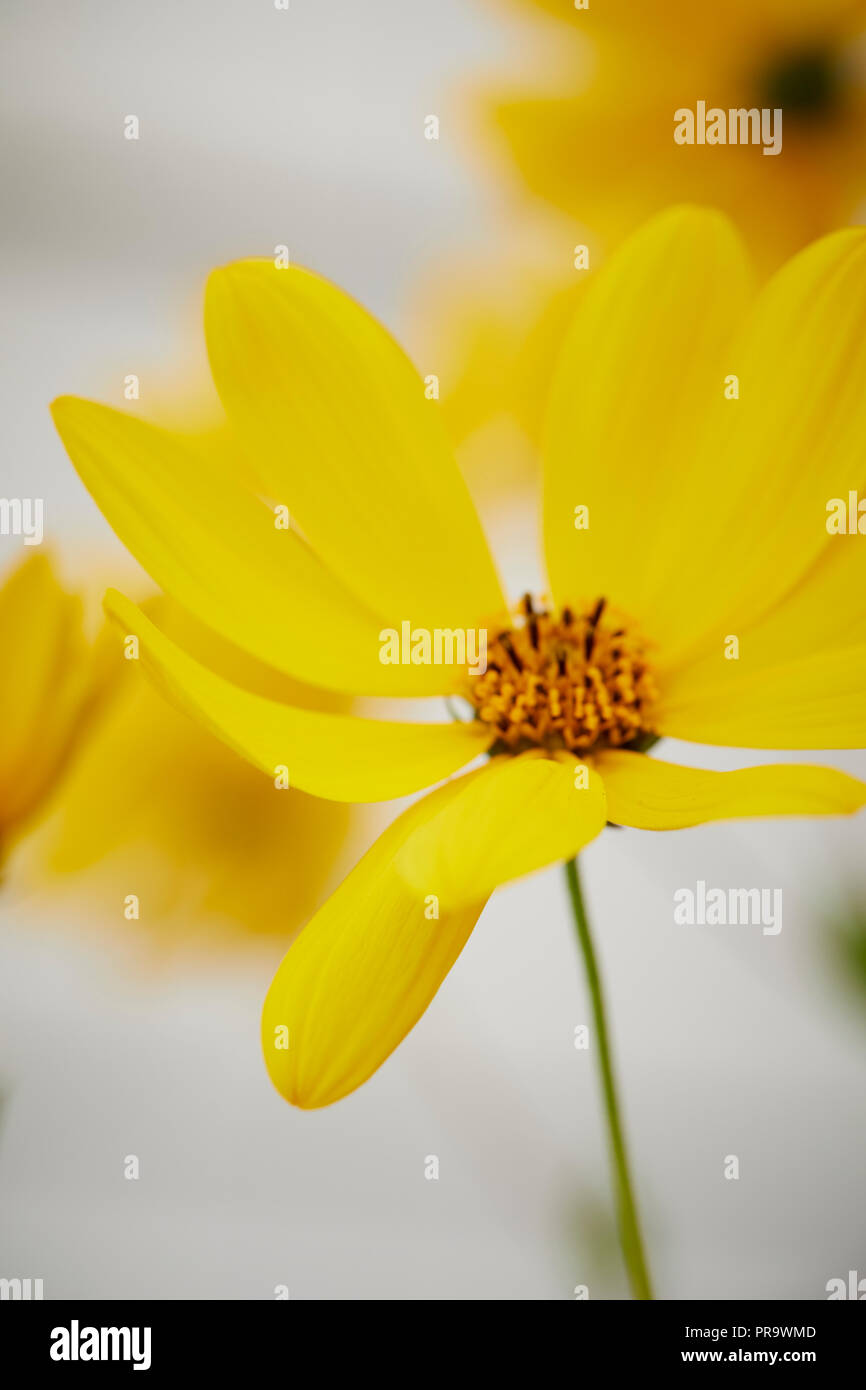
(155,807)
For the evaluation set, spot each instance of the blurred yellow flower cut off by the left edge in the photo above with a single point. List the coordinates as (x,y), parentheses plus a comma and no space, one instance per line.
(49,683)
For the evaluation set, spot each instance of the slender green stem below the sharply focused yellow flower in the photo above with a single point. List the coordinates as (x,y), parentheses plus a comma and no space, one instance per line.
(628,1213)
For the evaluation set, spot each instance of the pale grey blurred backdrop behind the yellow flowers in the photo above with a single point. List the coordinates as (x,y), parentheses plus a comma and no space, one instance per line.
(261,127)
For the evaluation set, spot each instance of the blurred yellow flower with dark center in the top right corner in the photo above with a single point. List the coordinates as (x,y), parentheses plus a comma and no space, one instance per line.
(598,138)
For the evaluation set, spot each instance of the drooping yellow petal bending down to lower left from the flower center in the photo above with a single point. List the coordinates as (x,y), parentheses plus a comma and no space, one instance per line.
(368,965)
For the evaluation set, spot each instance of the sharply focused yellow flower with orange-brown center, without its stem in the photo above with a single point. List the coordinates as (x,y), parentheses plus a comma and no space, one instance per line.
(707,528)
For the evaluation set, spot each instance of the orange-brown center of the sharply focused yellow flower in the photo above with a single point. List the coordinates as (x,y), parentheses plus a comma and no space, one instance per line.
(573,680)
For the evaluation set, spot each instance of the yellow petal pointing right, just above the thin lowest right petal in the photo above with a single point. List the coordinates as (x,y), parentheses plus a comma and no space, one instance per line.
(811,703)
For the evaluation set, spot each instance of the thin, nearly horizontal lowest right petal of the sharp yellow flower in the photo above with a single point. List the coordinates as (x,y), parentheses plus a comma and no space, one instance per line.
(655,796)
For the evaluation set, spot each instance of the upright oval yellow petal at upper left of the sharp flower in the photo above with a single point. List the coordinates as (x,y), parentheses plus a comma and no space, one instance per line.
(336,419)
